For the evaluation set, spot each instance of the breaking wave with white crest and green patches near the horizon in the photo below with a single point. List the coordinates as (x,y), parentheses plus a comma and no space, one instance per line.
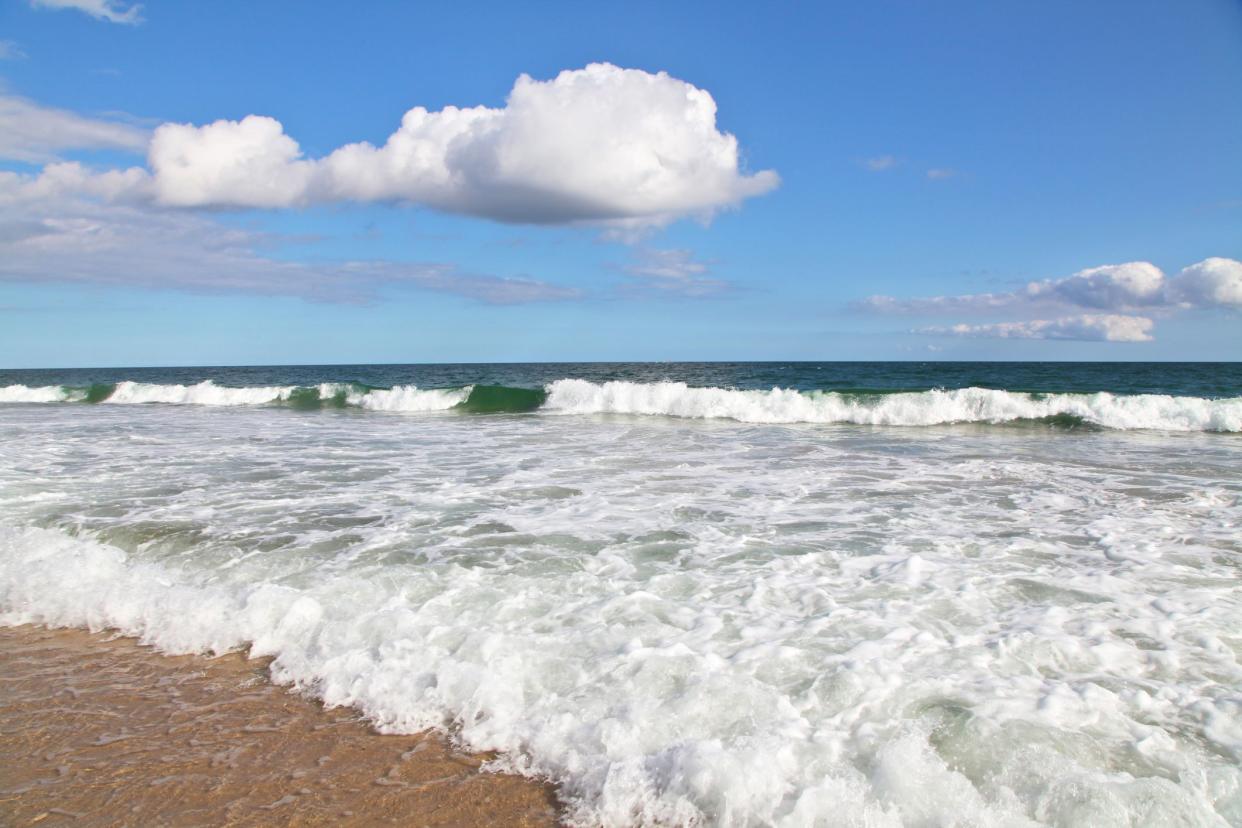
(569,397)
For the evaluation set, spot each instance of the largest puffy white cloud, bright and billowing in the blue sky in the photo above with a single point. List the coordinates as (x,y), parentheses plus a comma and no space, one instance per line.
(599,145)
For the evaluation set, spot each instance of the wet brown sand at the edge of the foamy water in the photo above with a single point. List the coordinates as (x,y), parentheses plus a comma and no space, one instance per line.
(100,731)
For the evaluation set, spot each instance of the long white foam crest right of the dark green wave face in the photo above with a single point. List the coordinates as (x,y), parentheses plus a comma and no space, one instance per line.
(909,409)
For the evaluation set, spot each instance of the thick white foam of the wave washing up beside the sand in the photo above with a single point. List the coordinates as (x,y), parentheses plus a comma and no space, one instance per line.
(646,714)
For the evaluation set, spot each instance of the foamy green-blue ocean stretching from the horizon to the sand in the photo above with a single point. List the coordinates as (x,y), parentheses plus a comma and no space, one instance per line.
(735,594)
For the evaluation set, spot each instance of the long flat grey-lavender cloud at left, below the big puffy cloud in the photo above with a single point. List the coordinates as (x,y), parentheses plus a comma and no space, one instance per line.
(49,236)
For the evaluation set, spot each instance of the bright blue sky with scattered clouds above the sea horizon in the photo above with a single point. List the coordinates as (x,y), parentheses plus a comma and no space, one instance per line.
(312,183)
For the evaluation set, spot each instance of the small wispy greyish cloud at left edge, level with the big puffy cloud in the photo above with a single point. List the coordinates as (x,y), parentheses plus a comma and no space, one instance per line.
(33,133)
